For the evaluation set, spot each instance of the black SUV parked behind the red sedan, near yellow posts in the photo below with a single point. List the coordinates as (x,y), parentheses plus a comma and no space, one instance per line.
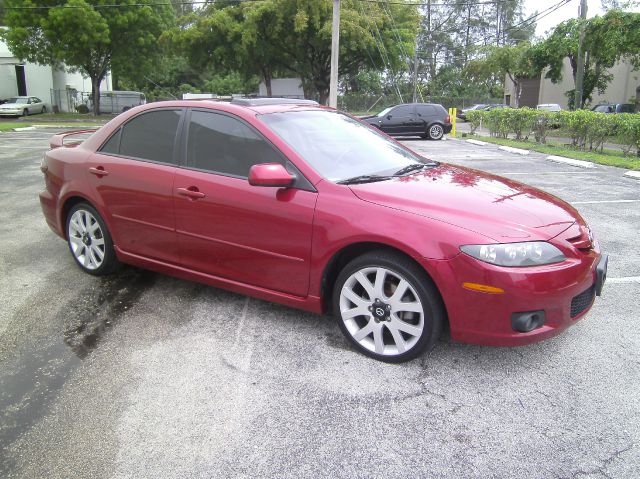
(428,120)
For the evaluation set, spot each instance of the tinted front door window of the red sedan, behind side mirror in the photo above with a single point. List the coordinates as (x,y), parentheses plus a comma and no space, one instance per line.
(226,145)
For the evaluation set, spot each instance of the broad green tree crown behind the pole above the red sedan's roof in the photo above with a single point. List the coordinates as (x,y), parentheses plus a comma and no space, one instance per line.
(294,37)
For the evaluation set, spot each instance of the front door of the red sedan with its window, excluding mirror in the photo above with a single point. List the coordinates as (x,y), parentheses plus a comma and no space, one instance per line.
(254,235)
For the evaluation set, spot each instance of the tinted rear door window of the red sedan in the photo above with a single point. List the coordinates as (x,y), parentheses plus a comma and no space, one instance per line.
(151,136)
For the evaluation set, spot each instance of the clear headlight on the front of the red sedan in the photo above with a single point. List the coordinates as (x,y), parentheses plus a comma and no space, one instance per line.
(531,253)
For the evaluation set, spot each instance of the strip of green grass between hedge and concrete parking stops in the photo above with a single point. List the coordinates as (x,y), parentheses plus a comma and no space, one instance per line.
(606,157)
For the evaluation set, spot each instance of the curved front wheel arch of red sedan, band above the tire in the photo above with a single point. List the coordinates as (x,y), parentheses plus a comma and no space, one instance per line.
(347,253)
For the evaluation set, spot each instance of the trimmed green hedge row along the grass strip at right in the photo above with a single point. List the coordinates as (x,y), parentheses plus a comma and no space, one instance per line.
(588,130)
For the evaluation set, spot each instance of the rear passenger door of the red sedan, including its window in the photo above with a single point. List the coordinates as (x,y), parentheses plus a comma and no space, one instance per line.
(133,176)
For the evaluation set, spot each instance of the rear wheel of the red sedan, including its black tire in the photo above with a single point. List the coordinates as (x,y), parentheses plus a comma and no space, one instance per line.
(98,240)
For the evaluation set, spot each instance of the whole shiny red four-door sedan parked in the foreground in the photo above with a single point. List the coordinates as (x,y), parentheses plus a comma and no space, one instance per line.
(303,205)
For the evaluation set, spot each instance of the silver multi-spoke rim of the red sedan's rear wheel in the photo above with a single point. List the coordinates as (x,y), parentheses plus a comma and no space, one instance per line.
(86,239)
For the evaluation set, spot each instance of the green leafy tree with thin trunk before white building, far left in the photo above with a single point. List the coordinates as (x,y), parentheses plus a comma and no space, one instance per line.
(86,36)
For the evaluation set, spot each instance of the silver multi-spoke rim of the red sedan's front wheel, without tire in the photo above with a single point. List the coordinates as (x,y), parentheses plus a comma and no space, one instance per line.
(381,311)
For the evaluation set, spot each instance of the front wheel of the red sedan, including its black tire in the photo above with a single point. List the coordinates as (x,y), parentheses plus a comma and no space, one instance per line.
(432,314)
